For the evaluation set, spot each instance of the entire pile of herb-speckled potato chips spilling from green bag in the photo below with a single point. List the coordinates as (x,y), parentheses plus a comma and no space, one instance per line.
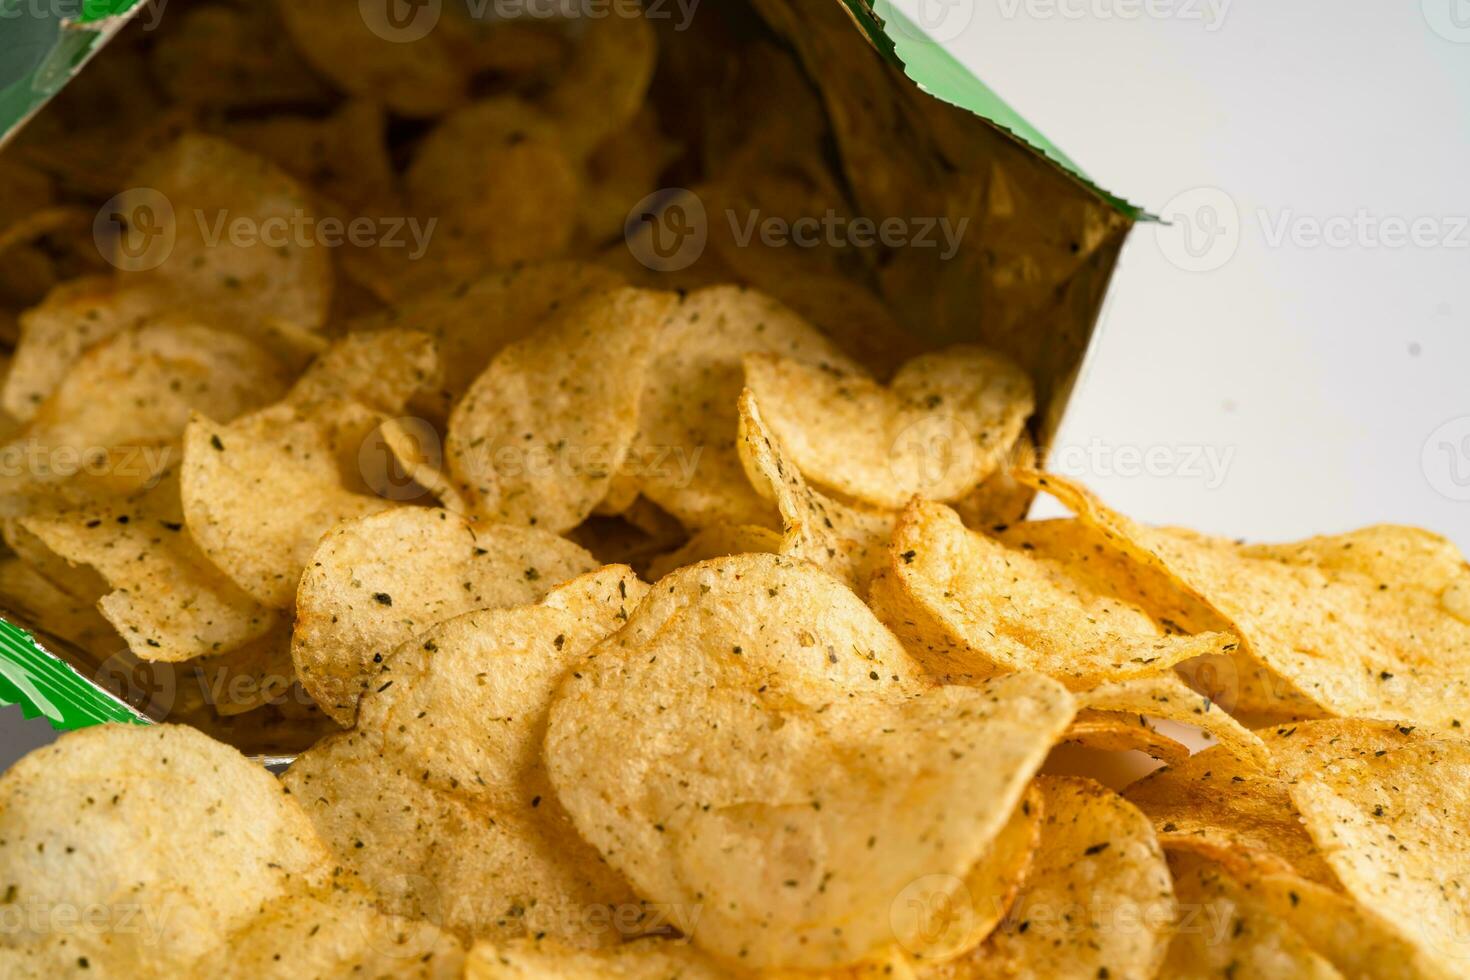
(627,622)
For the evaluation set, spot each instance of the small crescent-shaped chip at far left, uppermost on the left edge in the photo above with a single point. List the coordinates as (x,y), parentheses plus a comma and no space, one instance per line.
(55,334)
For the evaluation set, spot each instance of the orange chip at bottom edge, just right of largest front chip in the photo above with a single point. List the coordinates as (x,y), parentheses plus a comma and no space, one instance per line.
(1097,903)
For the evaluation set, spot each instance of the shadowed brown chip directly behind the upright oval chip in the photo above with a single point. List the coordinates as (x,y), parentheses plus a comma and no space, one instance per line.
(474,321)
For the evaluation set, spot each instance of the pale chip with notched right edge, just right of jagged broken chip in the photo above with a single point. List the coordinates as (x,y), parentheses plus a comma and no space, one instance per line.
(261,493)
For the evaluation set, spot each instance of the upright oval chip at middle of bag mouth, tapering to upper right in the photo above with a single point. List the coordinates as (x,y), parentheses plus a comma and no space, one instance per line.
(543,433)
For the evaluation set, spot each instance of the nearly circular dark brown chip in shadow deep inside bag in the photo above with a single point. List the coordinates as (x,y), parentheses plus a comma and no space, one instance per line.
(499,183)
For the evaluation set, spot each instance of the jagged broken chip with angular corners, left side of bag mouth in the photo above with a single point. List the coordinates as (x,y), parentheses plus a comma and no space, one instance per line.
(167,600)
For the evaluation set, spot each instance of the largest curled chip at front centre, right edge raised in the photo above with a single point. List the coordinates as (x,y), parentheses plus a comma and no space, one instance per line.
(662,740)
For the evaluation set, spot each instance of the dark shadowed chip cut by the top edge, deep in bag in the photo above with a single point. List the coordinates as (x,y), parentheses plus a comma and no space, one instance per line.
(408,67)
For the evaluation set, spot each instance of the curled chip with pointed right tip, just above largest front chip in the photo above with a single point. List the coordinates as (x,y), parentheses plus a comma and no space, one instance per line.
(969,606)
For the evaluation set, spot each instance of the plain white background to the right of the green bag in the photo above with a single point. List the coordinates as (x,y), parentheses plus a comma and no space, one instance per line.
(1318,374)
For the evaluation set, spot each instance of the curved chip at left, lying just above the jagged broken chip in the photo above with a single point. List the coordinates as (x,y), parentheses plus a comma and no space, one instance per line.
(108,425)
